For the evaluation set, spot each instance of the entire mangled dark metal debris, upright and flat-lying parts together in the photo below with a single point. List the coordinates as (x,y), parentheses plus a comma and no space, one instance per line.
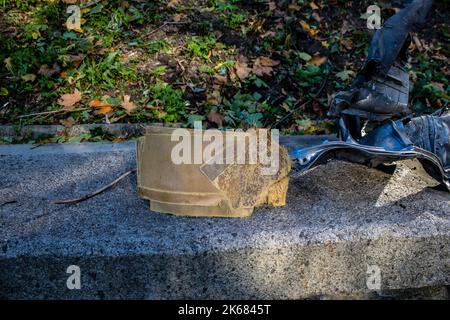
(378,95)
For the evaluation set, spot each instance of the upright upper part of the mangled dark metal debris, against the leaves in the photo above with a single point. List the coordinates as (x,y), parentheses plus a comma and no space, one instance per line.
(381,88)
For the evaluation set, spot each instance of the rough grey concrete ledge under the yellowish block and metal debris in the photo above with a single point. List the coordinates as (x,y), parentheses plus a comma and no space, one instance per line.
(339,219)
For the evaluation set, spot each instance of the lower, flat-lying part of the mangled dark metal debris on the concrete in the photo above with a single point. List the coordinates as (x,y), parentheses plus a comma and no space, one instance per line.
(425,138)
